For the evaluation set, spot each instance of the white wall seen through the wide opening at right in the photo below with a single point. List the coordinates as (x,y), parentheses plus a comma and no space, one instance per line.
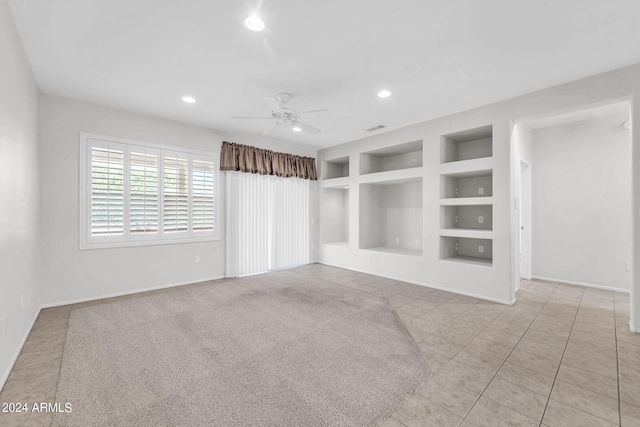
(581,204)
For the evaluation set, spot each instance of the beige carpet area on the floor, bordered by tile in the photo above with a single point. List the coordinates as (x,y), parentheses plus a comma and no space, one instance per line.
(271,350)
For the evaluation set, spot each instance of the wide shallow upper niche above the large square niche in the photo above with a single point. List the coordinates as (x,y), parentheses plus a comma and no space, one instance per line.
(401,156)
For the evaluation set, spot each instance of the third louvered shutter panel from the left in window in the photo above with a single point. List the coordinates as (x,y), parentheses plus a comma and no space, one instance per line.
(175,193)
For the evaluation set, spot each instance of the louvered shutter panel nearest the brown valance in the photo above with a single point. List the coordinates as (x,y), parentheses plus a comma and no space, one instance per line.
(202,201)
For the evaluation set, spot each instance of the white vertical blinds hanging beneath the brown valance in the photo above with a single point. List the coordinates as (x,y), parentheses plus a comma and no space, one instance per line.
(267,223)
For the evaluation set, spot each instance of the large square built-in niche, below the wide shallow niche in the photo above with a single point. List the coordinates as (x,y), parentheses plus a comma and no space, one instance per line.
(391,217)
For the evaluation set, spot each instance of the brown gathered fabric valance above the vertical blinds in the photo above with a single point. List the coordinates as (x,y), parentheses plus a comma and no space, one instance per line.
(239,157)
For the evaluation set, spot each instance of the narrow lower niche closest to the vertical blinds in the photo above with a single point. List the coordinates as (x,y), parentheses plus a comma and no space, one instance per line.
(335,208)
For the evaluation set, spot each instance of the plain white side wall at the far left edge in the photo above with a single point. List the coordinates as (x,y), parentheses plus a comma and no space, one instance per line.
(18,193)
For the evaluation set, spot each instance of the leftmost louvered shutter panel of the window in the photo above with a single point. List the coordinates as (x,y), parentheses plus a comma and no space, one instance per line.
(107,189)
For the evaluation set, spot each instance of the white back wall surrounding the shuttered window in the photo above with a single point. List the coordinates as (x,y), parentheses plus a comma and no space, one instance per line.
(71,274)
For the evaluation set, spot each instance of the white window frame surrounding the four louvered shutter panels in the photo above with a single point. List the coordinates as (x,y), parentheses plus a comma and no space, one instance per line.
(127,239)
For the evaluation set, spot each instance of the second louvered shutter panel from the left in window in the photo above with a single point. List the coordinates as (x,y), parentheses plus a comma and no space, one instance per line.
(143,192)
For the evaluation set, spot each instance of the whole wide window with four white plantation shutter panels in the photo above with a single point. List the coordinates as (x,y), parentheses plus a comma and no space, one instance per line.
(133,193)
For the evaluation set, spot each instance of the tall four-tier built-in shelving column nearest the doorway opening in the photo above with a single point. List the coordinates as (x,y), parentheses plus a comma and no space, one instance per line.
(466,196)
